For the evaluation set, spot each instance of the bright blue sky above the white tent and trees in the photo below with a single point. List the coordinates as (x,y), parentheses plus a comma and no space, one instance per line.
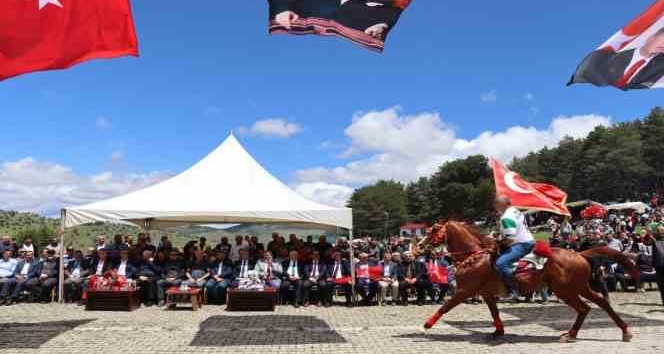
(209,67)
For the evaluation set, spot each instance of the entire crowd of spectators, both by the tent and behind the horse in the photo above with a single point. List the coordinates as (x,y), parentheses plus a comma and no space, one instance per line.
(307,271)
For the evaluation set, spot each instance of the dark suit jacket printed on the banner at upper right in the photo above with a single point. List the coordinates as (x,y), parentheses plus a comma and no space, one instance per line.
(603,67)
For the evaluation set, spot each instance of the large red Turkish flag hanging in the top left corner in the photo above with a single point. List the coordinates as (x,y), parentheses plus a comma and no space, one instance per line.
(40,35)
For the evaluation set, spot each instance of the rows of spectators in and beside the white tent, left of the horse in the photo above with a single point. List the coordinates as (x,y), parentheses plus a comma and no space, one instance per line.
(303,272)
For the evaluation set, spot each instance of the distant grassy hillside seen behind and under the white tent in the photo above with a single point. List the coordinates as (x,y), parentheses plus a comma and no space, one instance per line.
(21,225)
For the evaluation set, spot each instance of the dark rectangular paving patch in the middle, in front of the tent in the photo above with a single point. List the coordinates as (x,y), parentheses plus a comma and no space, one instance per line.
(224,331)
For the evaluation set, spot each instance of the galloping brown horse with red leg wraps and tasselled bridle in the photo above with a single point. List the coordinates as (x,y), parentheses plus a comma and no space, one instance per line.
(566,273)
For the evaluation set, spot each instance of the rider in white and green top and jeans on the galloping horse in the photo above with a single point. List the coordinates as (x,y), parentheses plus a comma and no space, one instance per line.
(518,239)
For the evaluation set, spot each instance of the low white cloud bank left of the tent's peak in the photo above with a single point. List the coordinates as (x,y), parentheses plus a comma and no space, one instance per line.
(45,188)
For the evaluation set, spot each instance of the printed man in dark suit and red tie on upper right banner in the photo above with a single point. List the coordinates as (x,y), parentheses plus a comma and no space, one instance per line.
(636,68)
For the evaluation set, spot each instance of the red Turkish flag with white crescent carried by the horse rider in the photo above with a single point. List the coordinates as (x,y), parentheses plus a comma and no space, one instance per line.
(526,195)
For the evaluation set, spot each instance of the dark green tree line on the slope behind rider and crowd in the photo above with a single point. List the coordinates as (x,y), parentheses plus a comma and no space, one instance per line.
(623,162)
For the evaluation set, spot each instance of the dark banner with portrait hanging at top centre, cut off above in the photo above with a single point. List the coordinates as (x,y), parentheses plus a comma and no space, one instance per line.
(366,22)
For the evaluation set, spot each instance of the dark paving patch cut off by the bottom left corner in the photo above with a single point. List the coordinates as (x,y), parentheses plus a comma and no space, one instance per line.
(34,335)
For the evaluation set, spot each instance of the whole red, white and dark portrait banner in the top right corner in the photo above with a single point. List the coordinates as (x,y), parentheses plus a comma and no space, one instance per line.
(633,58)
